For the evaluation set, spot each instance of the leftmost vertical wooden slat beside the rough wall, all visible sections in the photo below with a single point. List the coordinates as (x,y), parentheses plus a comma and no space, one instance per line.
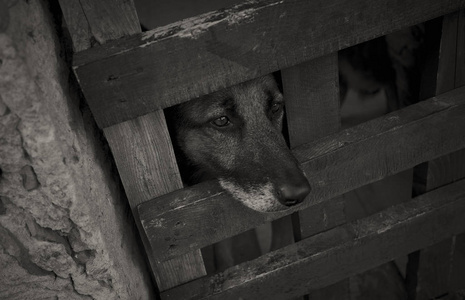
(141,147)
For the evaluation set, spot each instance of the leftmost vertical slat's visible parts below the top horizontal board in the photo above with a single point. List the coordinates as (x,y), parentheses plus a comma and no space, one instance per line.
(147,166)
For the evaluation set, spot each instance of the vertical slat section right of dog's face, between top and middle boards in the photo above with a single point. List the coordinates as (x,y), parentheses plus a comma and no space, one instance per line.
(312,99)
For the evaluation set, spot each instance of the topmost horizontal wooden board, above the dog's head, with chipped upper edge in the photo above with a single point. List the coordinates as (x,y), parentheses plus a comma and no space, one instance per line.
(145,72)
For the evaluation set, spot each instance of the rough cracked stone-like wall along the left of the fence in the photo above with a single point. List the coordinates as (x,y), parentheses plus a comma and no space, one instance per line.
(64,229)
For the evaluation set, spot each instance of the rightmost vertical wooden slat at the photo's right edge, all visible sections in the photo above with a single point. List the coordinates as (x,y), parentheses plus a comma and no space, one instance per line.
(440,265)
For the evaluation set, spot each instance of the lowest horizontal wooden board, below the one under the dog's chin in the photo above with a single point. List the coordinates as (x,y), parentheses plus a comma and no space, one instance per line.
(338,253)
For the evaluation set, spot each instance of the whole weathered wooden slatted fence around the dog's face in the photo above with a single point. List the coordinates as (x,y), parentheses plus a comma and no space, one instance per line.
(129,76)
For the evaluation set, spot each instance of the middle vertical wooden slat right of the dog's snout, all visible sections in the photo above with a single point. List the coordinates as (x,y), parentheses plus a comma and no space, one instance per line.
(312,106)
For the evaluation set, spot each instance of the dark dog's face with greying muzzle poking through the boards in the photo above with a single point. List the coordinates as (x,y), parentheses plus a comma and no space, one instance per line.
(235,136)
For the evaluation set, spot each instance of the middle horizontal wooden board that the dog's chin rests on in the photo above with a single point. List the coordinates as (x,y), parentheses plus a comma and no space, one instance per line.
(192,218)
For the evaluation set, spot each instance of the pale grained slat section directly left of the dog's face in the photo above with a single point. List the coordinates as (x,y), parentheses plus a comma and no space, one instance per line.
(144,156)
